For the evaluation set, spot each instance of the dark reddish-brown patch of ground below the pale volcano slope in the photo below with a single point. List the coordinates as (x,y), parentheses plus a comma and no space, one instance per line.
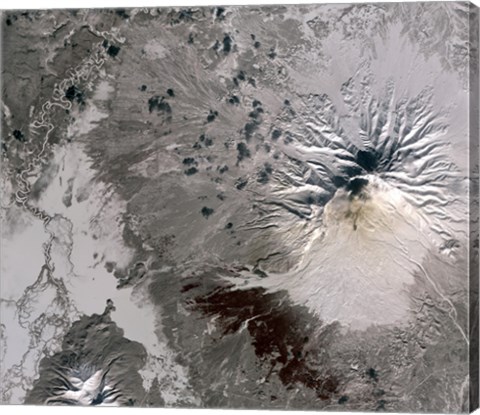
(281,335)
